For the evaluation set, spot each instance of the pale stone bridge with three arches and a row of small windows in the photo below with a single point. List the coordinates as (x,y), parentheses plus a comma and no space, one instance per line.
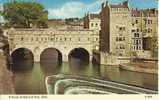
(63,40)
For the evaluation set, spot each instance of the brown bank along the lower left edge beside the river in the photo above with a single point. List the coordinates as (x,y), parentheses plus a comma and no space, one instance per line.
(6,78)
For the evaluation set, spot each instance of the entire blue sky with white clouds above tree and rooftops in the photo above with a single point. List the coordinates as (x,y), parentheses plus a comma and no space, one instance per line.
(77,8)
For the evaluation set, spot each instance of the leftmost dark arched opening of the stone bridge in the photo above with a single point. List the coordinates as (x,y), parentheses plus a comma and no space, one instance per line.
(22,59)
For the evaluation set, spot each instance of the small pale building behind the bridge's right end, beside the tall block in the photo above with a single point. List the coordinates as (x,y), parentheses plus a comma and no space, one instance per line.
(92,21)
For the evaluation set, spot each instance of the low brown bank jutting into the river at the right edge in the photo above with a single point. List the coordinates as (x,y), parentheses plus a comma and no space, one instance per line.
(144,67)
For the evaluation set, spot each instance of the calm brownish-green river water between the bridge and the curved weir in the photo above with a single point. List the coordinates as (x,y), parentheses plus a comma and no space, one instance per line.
(32,81)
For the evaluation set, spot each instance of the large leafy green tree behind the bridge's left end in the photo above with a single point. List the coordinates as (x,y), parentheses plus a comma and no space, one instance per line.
(25,14)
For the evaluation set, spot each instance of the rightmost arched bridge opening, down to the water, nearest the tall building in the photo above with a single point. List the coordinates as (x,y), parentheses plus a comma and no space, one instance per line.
(78,57)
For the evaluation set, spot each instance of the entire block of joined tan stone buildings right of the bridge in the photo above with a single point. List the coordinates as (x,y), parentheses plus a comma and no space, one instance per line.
(125,30)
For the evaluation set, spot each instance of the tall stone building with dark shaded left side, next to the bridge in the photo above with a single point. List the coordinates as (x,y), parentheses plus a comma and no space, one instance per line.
(115,35)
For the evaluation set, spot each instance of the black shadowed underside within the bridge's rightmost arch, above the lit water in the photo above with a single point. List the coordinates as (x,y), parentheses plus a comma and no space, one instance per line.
(81,54)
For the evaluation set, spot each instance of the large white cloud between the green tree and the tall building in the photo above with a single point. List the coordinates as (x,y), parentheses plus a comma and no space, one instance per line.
(74,9)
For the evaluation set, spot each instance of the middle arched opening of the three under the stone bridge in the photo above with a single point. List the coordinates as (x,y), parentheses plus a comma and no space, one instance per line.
(50,57)
